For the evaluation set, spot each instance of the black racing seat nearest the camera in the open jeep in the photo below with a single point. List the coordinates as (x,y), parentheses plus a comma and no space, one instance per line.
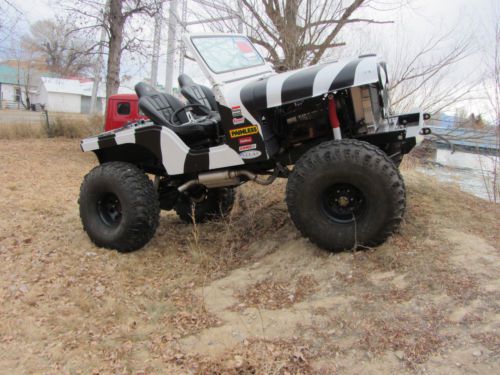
(161,107)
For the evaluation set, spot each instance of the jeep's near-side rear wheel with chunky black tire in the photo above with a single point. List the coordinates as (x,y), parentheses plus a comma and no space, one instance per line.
(119,206)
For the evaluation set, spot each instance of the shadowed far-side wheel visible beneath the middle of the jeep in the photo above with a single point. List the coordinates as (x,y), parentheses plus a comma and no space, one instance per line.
(211,204)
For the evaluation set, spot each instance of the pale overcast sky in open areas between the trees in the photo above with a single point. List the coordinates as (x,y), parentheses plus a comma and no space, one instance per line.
(413,25)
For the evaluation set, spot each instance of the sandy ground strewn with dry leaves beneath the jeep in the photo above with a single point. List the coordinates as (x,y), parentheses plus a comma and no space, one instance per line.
(247,295)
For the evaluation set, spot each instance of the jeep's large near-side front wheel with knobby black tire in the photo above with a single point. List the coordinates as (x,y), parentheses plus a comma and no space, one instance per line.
(343,194)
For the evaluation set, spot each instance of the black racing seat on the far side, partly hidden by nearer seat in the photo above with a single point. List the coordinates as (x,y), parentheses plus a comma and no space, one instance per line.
(198,94)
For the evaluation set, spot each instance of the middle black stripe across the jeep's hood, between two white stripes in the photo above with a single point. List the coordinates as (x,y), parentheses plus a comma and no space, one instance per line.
(299,85)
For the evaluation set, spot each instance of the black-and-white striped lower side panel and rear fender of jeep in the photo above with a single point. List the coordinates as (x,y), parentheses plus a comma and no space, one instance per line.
(177,158)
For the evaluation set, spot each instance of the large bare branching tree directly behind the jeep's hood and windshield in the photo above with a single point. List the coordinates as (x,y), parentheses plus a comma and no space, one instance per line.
(294,33)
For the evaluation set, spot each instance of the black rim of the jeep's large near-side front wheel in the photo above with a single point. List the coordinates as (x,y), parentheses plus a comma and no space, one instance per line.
(343,203)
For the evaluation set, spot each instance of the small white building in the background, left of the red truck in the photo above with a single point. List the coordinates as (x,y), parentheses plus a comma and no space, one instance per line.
(68,95)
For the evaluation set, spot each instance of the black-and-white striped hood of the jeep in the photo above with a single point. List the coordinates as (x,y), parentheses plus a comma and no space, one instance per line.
(310,82)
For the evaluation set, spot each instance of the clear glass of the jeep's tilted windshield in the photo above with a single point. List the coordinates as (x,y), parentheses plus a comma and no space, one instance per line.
(226,53)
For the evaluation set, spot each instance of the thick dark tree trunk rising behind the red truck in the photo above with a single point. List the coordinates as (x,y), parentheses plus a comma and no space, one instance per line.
(116,25)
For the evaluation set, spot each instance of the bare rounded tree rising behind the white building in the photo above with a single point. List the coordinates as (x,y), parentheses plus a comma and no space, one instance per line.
(65,52)
